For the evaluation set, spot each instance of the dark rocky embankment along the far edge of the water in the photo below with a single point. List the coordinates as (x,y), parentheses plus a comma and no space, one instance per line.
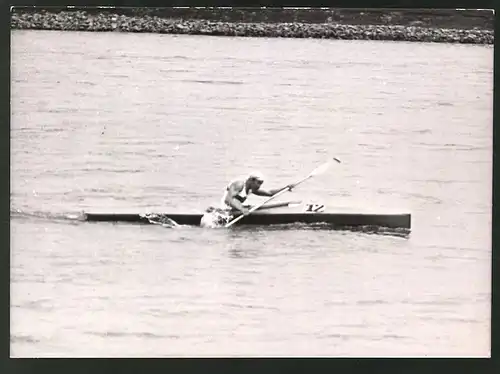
(391,25)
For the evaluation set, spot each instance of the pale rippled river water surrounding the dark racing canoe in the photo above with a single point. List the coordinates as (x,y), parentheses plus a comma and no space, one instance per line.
(110,122)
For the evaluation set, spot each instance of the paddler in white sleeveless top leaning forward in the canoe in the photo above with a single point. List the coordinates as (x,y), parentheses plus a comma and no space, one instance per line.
(237,191)
